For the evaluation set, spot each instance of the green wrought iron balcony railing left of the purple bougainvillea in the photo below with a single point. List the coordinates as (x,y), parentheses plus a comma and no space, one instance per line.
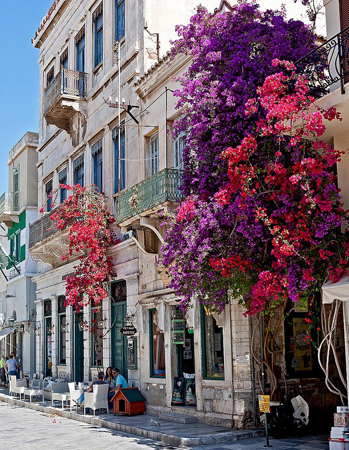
(162,187)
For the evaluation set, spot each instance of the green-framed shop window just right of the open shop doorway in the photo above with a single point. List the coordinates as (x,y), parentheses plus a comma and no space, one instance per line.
(212,351)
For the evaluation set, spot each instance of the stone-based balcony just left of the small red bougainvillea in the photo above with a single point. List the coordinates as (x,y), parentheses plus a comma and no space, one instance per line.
(46,243)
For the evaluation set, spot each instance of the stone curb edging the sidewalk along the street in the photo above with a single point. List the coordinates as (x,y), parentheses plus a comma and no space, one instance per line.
(164,438)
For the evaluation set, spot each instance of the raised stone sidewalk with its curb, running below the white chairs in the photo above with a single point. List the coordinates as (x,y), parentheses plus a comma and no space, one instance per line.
(147,425)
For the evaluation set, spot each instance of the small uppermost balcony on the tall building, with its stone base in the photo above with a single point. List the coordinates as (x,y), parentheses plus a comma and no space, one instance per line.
(64,97)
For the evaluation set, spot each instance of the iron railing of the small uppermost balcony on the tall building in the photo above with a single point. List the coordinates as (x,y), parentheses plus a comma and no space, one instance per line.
(67,82)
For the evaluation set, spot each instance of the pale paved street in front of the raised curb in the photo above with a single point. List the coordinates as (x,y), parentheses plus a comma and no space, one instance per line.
(28,430)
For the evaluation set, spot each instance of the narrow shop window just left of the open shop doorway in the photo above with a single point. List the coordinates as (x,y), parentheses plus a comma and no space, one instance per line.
(157,347)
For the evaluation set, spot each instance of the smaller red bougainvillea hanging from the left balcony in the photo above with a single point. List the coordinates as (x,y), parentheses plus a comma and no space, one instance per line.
(85,216)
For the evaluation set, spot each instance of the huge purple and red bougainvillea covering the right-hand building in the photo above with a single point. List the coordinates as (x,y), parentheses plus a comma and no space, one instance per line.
(262,219)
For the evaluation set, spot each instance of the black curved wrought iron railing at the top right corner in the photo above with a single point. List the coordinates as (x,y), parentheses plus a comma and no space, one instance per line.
(328,63)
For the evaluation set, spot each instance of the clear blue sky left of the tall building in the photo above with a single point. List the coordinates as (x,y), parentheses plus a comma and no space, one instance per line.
(19,75)
